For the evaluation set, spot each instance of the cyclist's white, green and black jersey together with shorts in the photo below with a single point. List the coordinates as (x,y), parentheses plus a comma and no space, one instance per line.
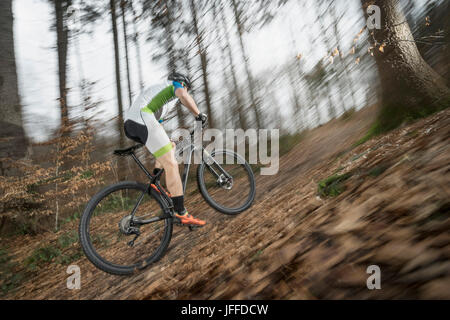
(141,119)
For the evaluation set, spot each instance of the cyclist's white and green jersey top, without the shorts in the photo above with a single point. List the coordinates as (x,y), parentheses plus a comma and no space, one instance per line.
(156,99)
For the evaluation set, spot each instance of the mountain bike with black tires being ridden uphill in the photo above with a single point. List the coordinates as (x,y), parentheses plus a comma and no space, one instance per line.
(128,225)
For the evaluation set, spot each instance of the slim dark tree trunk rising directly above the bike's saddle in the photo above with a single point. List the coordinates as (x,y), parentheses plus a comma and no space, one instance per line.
(117,68)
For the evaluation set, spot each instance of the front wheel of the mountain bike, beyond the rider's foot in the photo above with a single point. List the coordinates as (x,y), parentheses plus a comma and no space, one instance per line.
(226,181)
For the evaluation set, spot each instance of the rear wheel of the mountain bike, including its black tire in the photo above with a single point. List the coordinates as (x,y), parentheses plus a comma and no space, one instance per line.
(106,228)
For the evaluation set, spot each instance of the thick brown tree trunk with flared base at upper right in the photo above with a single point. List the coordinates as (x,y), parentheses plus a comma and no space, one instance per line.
(410,87)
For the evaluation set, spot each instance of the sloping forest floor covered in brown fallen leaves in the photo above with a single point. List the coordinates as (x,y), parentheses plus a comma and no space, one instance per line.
(393,212)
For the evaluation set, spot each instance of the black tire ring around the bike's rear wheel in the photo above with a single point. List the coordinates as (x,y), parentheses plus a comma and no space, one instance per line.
(89,249)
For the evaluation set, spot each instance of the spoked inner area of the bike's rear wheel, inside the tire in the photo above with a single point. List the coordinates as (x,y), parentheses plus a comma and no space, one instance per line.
(112,227)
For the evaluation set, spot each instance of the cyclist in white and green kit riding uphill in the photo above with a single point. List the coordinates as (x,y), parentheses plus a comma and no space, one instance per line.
(143,124)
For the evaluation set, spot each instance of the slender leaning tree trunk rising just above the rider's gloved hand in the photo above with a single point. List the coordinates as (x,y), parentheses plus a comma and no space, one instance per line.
(204,63)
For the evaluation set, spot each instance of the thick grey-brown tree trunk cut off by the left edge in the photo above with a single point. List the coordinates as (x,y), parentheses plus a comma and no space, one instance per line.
(11,127)
